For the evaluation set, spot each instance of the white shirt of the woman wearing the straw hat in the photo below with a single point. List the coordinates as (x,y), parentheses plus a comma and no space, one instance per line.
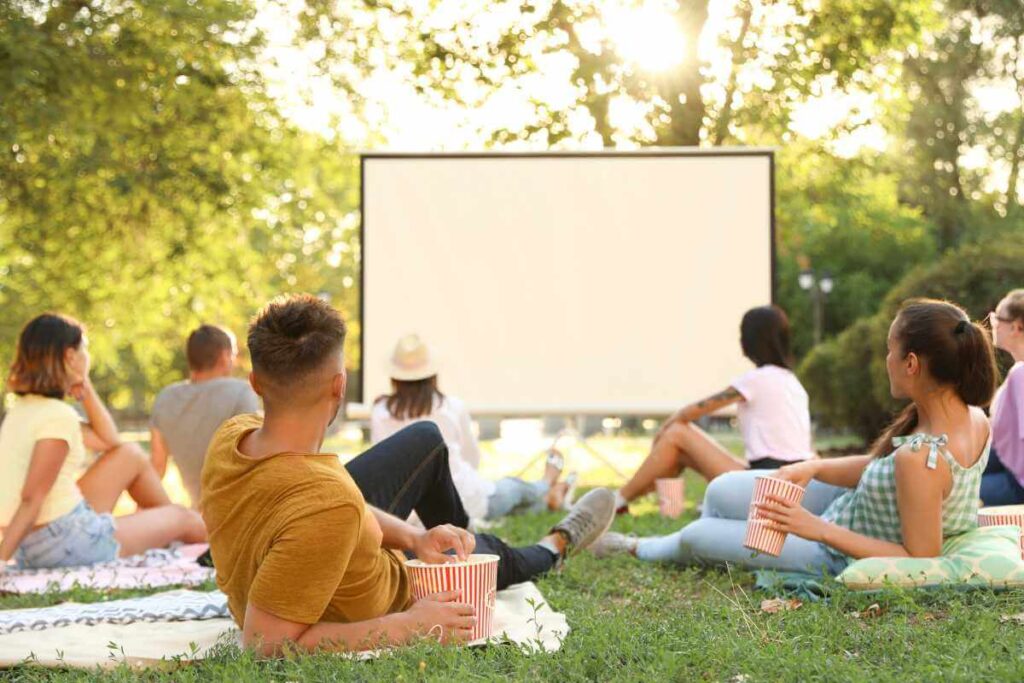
(453,419)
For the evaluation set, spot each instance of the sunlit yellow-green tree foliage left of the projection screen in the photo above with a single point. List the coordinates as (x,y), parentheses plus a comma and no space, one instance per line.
(148,184)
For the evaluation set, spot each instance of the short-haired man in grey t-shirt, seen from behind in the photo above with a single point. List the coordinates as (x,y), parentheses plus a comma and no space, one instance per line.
(187,414)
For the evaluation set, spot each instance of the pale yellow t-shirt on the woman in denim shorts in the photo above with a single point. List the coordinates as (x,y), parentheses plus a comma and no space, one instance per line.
(31,419)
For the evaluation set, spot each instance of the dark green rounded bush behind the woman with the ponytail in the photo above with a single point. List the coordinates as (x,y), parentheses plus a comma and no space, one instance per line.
(846,376)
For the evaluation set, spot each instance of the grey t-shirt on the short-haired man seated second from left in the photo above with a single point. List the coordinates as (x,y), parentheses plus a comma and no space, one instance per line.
(188,415)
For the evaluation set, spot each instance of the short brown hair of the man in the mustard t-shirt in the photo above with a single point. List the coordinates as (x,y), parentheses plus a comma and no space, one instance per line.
(294,335)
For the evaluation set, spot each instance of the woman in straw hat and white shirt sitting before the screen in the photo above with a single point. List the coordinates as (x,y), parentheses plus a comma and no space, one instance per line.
(415,397)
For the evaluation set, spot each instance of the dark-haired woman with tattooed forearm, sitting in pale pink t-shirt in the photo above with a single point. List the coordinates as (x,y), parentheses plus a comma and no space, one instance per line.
(773,408)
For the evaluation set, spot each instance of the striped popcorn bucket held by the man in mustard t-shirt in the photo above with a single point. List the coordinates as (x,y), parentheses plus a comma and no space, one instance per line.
(477,579)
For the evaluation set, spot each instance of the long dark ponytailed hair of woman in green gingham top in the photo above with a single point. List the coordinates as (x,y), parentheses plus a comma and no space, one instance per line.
(956,352)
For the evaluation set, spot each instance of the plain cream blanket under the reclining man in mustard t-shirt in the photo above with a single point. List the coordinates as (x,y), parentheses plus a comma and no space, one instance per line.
(522,617)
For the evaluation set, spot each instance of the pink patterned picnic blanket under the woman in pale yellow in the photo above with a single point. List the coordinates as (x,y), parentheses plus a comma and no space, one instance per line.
(154,569)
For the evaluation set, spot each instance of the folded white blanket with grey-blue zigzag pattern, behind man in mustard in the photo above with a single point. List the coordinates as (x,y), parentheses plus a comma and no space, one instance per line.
(168,607)
